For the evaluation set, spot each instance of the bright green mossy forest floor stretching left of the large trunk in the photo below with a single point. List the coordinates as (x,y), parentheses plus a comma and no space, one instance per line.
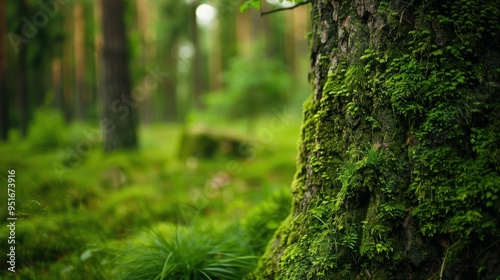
(80,211)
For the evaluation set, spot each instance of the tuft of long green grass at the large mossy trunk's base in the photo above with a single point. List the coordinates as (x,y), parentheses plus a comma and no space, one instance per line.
(174,252)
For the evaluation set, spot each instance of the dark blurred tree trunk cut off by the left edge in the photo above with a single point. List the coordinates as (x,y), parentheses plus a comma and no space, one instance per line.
(4,96)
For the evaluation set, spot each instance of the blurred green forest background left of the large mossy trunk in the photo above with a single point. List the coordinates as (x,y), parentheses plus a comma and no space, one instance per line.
(217,95)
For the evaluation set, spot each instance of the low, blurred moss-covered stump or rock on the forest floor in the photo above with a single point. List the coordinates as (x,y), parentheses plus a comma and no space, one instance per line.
(202,142)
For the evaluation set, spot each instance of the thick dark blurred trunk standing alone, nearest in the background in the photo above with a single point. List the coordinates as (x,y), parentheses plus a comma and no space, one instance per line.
(118,107)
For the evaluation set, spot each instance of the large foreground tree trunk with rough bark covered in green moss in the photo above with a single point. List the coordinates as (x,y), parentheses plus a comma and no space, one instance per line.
(399,168)
